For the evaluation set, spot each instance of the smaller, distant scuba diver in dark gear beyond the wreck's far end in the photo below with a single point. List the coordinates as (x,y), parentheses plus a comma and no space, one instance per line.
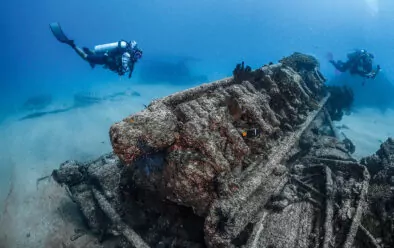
(359,62)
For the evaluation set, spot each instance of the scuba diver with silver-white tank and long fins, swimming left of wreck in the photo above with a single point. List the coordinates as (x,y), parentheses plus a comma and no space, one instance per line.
(118,57)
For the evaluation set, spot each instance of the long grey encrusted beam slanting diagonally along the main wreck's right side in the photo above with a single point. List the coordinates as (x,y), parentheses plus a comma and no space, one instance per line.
(253,193)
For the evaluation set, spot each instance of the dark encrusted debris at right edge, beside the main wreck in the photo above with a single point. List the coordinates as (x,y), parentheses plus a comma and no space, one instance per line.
(379,218)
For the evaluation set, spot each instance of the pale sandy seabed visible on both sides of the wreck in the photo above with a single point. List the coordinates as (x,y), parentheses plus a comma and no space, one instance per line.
(41,215)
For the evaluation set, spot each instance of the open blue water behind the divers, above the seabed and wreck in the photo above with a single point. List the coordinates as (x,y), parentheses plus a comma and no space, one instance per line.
(218,34)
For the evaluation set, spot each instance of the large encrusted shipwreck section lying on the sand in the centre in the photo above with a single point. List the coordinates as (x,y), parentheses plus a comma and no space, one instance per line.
(183,175)
